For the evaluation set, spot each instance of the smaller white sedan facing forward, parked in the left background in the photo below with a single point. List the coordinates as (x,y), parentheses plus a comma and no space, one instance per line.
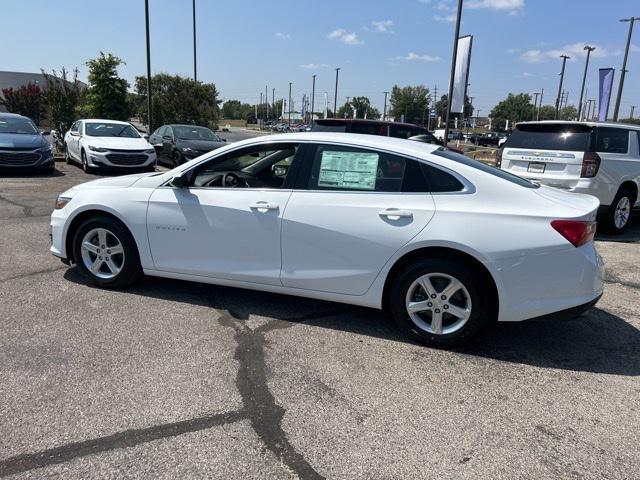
(108,144)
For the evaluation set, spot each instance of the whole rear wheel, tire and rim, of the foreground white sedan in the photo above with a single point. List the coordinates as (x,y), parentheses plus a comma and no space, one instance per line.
(440,301)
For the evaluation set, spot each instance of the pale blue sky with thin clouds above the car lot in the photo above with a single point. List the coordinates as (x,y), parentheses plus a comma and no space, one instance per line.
(244,45)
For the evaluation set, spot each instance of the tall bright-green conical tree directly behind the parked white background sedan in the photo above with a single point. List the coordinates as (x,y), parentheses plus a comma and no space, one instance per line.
(107,93)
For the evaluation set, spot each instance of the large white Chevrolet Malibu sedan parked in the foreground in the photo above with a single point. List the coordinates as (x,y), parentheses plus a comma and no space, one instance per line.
(445,243)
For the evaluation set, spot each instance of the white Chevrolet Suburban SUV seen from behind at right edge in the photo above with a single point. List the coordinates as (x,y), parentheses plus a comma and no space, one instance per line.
(601,159)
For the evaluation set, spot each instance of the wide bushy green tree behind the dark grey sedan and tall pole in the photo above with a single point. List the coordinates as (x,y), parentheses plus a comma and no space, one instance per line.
(177,99)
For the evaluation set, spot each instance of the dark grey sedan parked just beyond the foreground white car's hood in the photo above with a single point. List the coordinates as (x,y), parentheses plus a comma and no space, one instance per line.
(176,144)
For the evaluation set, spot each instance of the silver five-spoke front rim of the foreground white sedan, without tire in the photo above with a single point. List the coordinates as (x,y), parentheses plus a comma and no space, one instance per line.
(102,253)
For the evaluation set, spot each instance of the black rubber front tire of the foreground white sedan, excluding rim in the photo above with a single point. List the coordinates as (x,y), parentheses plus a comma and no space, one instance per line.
(130,272)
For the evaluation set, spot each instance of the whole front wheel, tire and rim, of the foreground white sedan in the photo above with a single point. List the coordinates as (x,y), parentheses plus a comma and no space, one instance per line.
(106,254)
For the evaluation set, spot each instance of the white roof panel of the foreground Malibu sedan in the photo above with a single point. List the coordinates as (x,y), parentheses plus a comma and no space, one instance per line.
(396,145)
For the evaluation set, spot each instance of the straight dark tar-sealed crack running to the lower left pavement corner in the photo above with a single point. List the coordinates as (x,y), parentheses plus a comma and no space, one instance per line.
(125,439)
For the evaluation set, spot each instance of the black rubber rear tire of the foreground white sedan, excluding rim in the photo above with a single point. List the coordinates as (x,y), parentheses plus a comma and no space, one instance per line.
(478,295)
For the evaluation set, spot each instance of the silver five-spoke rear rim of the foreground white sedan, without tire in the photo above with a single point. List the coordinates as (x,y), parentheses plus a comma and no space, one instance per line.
(438,303)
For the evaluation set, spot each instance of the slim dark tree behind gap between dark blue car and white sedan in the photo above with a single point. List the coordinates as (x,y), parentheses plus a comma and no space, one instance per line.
(63,98)
